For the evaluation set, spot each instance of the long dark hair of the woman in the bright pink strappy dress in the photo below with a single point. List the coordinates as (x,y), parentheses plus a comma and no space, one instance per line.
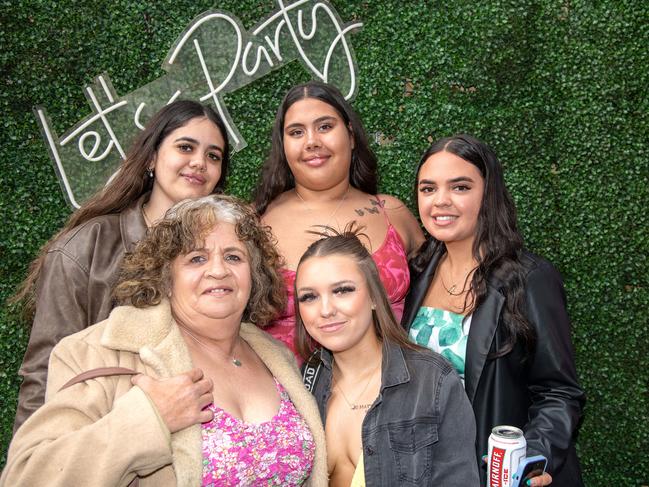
(276,176)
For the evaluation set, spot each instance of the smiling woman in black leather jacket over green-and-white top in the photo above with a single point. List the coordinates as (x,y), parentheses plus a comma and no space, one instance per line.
(495,311)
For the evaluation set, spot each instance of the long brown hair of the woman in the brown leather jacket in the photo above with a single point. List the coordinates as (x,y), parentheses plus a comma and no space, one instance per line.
(130,182)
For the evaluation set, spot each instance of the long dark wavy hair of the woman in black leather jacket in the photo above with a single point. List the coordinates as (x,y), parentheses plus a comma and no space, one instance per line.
(498,244)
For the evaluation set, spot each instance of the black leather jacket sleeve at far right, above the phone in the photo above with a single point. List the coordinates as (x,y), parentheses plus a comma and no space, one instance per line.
(557,398)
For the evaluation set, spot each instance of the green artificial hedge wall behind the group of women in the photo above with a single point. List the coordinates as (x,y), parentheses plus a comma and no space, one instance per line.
(557,87)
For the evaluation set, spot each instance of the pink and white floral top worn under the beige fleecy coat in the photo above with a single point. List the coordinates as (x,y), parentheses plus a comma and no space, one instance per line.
(276,452)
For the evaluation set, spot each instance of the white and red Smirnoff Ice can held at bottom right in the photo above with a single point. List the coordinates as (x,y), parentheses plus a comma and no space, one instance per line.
(507,447)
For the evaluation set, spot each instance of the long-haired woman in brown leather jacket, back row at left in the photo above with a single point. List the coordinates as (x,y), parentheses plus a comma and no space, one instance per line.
(182,153)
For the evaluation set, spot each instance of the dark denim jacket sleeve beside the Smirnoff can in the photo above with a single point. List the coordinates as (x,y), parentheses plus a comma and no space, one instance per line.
(454,462)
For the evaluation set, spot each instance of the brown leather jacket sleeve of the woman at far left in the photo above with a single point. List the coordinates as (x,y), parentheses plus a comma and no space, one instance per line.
(61,306)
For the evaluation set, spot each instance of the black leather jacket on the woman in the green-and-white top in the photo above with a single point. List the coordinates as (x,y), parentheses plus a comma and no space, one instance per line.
(541,395)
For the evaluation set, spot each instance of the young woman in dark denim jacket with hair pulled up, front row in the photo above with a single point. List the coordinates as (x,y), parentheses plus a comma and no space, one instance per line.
(394,413)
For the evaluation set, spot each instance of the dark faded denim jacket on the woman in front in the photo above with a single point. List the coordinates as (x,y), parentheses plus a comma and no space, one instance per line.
(420,430)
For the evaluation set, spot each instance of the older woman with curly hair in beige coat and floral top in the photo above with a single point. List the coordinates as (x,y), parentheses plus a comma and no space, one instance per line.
(214,400)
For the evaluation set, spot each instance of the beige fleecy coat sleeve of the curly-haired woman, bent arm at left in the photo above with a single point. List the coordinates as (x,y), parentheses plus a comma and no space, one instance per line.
(80,436)
